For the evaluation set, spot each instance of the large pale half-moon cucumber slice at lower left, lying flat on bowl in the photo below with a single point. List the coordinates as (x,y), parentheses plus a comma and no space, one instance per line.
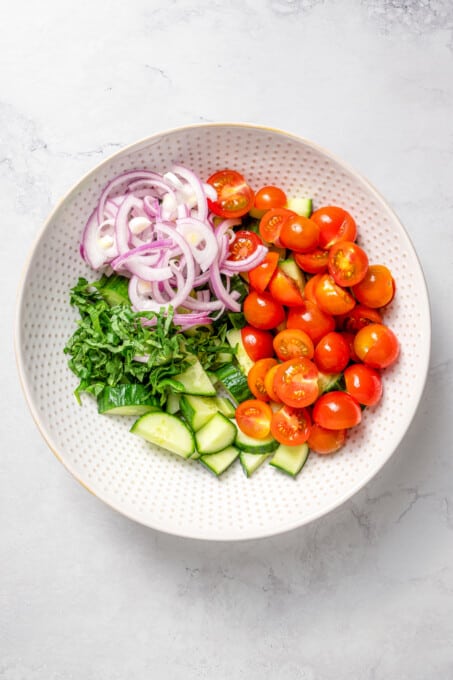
(167,431)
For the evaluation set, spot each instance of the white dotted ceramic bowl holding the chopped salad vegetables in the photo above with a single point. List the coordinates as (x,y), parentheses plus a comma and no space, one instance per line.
(157,488)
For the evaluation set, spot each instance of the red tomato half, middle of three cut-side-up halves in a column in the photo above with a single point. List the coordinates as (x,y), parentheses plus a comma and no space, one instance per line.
(296,382)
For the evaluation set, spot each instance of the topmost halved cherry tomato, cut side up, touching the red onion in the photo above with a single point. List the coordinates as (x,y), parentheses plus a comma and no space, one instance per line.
(234,196)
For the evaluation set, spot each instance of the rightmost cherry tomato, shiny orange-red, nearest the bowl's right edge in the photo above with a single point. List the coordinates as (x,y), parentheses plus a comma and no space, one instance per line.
(376,345)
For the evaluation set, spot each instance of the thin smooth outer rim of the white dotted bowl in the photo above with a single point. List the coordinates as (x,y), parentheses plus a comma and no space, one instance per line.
(20,293)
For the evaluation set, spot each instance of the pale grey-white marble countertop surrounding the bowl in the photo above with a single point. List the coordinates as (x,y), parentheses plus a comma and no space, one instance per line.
(367,591)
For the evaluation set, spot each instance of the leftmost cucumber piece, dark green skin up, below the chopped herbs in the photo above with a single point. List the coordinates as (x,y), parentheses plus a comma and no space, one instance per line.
(126,400)
